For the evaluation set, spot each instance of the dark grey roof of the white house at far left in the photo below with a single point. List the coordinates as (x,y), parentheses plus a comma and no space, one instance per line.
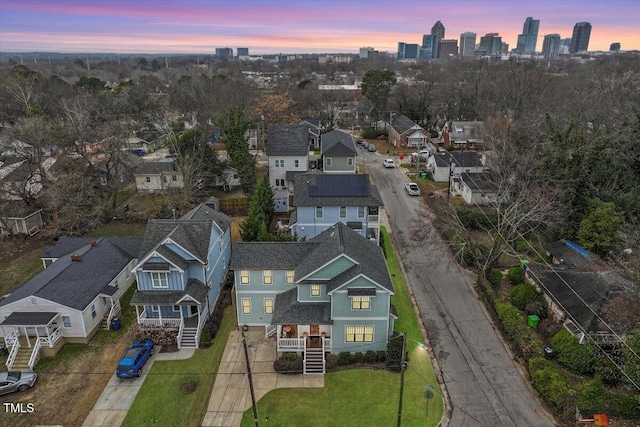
(76,284)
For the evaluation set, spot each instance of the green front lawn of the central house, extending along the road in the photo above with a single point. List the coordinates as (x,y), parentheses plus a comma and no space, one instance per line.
(363,396)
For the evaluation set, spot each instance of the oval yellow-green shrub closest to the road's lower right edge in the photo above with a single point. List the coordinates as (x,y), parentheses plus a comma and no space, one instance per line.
(549,382)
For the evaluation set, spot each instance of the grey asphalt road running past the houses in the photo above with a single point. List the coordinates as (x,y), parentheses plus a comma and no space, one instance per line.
(484,384)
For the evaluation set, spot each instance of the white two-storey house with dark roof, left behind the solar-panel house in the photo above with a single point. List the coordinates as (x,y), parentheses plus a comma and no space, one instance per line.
(288,151)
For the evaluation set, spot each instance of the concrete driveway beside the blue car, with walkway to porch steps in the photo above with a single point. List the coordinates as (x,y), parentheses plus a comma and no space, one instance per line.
(118,395)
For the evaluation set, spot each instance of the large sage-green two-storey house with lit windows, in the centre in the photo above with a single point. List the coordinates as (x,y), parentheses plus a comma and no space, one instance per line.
(329,294)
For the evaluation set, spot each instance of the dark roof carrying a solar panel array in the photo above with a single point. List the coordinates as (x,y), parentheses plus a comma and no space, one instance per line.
(313,189)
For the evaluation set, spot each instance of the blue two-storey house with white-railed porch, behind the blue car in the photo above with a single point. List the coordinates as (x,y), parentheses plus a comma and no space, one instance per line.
(183,264)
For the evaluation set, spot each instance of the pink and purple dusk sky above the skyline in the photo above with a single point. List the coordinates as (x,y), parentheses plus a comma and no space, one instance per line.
(295,26)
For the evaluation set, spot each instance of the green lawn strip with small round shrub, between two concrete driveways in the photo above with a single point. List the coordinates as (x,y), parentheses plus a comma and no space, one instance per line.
(160,401)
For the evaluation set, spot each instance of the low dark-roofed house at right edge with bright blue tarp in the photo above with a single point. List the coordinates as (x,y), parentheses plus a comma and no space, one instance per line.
(586,296)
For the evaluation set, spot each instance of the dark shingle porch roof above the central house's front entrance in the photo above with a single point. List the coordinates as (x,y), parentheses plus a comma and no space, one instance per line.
(287,309)
